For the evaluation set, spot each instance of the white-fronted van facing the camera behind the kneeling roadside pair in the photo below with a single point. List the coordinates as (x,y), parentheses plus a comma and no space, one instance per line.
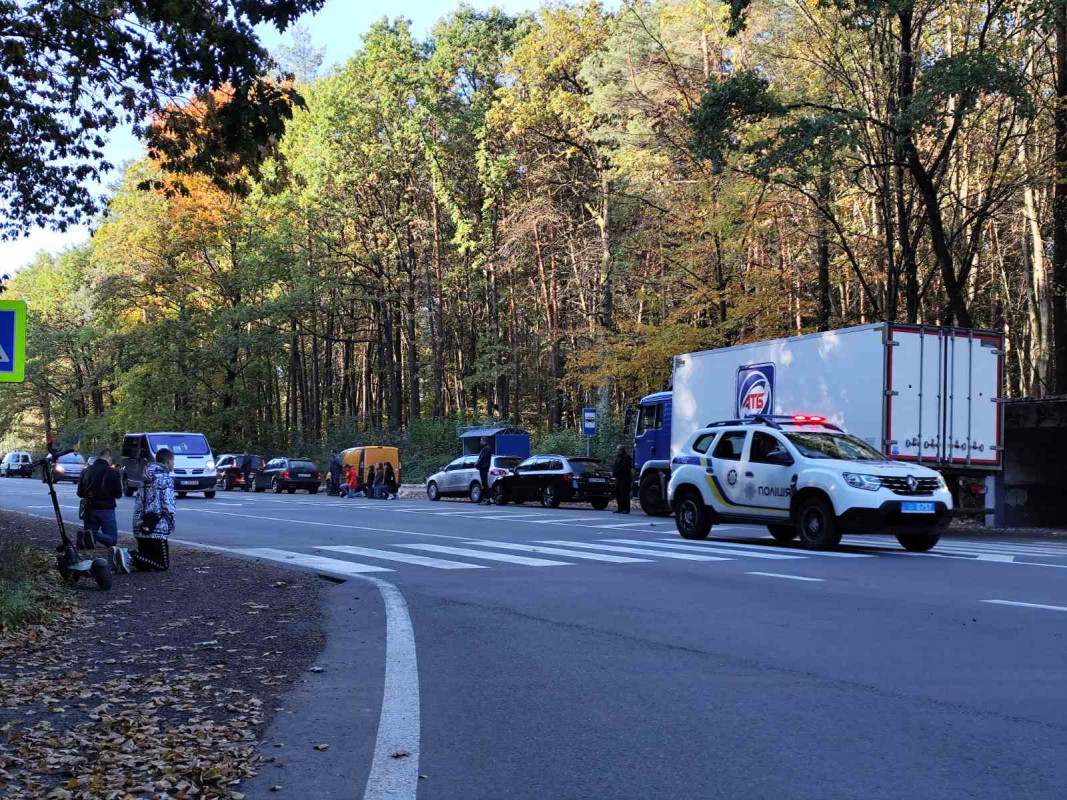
(194,463)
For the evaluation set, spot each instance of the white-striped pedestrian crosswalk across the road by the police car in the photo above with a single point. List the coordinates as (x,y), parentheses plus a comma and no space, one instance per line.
(486,554)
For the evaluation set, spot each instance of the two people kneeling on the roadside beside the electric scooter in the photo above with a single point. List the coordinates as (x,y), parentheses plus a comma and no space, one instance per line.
(154,507)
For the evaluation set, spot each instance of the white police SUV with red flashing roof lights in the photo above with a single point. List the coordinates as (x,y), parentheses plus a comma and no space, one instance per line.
(802,476)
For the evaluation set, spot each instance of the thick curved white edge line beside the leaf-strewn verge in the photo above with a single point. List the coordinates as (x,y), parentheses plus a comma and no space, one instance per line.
(392,775)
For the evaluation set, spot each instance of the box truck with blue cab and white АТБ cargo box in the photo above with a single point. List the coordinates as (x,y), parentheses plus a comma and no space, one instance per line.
(918,394)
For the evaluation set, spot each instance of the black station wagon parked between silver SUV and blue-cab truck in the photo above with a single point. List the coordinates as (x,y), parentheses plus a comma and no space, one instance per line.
(556,479)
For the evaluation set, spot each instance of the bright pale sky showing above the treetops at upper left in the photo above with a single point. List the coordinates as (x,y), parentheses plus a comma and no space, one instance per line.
(339,28)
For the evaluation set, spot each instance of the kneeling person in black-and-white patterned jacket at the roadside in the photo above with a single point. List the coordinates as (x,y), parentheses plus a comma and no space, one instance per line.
(154,508)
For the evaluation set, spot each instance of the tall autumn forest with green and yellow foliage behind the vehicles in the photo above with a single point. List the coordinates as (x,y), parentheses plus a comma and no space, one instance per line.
(522,216)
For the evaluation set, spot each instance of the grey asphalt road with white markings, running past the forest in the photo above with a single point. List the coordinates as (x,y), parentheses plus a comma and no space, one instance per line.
(570,653)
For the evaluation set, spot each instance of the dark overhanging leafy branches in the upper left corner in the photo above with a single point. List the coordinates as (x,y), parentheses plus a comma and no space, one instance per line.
(72,73)
